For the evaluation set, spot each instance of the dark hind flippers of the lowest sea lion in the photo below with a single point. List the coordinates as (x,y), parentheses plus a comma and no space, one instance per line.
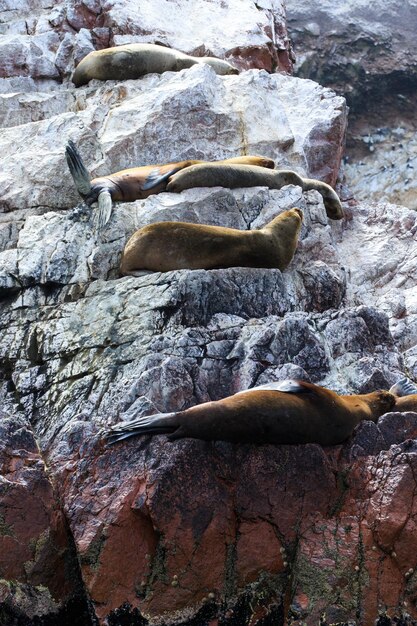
(157,424)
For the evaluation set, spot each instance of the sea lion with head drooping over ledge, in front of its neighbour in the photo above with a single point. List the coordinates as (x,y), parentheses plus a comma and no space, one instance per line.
(232,176)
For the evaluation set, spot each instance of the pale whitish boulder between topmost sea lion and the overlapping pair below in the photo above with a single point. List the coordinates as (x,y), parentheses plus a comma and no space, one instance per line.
(167,118)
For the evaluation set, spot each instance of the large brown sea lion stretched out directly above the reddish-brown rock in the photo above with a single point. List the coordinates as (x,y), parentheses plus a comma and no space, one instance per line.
(291,412)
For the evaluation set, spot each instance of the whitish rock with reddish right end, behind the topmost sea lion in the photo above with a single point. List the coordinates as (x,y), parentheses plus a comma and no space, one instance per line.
(44,39)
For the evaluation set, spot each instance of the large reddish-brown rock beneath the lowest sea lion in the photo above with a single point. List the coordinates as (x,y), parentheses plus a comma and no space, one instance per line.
(175,530)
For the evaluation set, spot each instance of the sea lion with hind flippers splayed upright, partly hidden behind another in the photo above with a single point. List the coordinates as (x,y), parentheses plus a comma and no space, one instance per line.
(132,184)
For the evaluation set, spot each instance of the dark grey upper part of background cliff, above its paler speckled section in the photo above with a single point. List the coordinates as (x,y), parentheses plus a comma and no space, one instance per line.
(356,48)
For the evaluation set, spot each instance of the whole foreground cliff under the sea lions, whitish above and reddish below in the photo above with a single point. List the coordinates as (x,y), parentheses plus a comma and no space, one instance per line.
(191,533)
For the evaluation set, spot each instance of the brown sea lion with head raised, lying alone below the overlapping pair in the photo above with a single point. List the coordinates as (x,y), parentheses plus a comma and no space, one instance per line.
(166,246)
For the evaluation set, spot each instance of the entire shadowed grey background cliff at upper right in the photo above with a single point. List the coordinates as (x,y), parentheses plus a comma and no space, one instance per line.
(367,53)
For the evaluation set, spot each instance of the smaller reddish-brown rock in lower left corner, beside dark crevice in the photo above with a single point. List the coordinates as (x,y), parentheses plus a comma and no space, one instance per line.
(38,568)
